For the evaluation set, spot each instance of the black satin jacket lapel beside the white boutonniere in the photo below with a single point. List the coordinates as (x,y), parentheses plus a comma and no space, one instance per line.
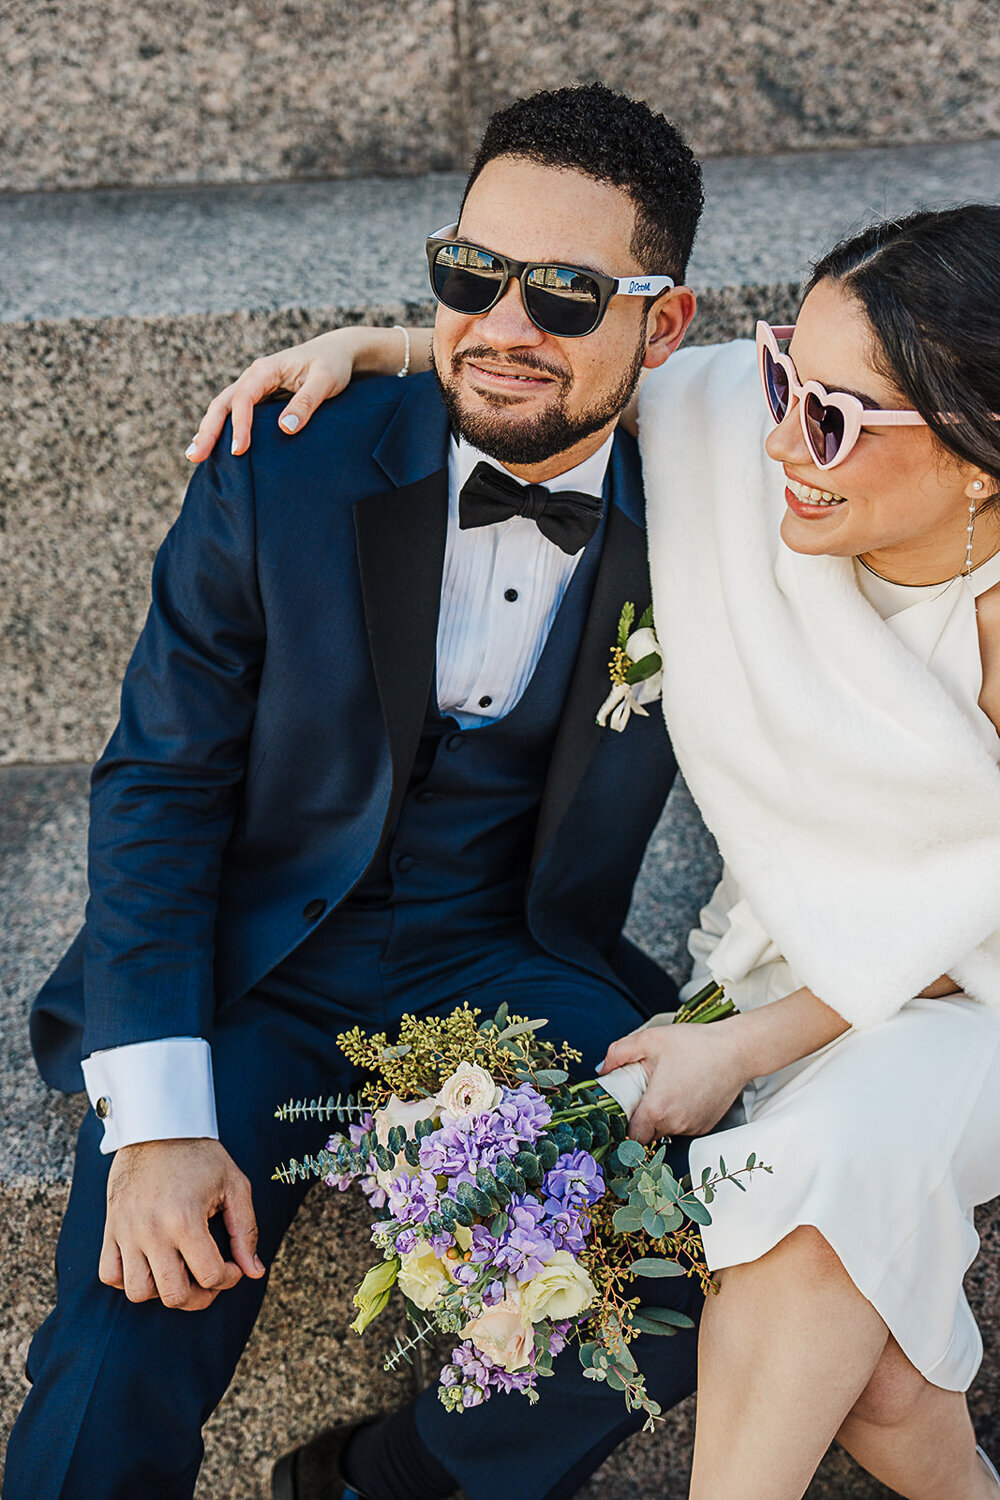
(623,575)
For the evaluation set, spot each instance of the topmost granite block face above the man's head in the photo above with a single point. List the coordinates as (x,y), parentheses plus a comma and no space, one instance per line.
(139,95)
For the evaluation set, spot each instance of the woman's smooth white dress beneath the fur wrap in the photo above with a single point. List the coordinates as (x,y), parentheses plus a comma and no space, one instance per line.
(888,1138)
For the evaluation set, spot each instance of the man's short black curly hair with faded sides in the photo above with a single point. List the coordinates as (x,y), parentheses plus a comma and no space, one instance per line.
(614,140)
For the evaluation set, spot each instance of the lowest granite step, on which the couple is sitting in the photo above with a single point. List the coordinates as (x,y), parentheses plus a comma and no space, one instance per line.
(304,1369)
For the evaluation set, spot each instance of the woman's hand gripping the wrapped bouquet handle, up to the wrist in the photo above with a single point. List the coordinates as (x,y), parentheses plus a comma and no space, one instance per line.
(695,1075)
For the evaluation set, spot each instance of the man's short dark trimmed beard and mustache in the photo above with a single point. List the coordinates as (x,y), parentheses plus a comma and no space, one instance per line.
(509,439)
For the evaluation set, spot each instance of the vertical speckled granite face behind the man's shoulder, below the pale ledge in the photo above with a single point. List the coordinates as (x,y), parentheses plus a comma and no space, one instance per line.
(97,416)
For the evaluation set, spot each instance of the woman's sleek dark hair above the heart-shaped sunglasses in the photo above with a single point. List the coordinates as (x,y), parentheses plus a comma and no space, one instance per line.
(930,287)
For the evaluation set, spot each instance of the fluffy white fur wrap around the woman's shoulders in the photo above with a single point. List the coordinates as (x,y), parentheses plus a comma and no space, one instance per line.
(851,797)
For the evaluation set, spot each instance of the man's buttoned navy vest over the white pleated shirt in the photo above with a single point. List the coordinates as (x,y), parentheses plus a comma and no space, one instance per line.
(467,827)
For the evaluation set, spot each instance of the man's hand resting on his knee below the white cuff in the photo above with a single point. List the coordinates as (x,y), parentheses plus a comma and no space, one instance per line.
(157,1241)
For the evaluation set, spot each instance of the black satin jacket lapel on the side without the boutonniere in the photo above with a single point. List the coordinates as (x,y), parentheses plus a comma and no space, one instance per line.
(401,539)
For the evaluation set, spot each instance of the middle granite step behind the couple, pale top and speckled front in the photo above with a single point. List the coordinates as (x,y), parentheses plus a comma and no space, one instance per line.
(124,313)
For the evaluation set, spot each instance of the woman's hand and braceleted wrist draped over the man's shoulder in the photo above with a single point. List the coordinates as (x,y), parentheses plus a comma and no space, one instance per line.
(316,371)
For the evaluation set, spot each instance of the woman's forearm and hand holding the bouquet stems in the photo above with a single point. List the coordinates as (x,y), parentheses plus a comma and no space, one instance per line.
(696,1072)
